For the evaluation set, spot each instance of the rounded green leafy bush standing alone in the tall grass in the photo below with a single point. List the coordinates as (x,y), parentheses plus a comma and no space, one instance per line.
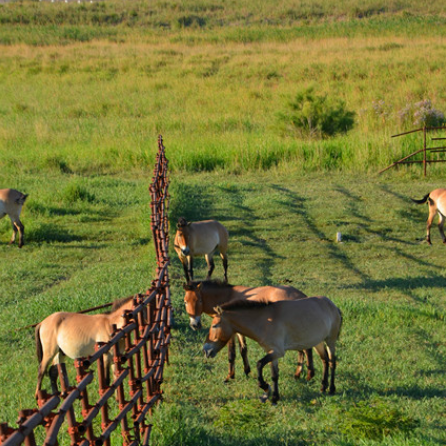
(312,115)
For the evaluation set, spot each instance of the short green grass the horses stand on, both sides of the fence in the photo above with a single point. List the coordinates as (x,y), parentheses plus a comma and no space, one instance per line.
(386,280)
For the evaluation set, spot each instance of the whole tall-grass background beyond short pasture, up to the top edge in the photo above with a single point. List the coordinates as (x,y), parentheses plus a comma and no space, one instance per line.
(87,96)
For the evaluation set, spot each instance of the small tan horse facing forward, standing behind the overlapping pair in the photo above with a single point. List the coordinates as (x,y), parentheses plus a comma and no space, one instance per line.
(201,238)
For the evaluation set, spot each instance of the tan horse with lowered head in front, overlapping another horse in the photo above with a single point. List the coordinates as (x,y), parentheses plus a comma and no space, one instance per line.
(278,327)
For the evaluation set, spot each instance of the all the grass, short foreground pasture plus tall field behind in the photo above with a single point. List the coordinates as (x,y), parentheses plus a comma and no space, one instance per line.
(84,92)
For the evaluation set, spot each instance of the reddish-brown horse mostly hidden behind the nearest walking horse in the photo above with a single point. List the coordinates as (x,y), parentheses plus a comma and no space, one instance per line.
(203,297)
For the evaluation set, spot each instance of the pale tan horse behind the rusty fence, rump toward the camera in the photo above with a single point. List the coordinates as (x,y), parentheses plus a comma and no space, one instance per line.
(75,335)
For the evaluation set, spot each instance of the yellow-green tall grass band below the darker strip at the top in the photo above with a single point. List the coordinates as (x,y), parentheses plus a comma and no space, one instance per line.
(95,107)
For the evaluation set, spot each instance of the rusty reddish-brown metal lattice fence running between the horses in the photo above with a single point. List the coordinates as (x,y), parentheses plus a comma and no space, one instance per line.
(87,405)
